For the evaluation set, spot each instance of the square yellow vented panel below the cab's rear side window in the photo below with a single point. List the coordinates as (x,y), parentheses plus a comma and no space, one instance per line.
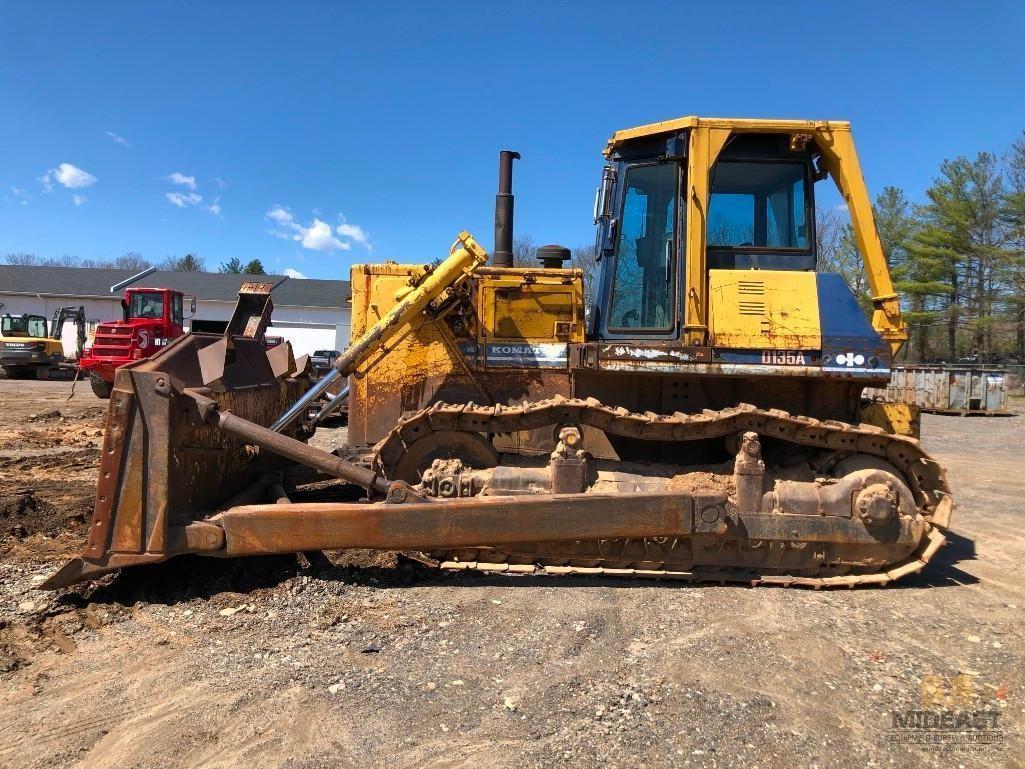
(764,310)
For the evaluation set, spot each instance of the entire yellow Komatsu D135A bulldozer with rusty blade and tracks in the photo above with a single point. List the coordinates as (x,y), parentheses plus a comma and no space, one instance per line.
(700,418)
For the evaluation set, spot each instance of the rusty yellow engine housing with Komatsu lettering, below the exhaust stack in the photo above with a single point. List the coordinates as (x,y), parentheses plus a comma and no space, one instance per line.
(511,347)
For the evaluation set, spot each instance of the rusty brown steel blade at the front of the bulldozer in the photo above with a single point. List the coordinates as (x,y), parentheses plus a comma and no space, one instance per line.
(161,466)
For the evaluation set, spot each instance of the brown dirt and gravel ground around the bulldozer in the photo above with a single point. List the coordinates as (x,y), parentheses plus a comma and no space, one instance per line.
(365,661)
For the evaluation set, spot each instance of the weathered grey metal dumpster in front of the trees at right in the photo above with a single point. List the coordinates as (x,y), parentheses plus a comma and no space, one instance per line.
(948,390)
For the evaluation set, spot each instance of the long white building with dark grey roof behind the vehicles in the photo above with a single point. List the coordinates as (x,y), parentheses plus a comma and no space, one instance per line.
(311,314)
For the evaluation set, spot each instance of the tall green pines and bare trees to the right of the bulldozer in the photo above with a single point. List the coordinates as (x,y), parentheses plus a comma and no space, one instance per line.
(958,260)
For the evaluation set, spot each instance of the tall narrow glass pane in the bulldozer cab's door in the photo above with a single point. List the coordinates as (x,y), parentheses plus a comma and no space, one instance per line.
(642,294)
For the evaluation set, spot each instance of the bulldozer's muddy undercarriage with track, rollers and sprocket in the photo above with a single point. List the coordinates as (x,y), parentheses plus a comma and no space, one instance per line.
(805,502)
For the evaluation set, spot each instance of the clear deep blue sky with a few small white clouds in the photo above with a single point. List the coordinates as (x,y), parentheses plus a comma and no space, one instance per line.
(315,136)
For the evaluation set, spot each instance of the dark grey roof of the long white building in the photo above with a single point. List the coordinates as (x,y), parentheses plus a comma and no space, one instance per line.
(96,284)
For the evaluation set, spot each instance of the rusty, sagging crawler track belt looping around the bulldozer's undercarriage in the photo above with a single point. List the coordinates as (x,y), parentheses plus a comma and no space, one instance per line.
(672,560)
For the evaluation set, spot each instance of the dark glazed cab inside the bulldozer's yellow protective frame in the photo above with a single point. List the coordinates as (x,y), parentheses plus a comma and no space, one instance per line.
(761,217)
